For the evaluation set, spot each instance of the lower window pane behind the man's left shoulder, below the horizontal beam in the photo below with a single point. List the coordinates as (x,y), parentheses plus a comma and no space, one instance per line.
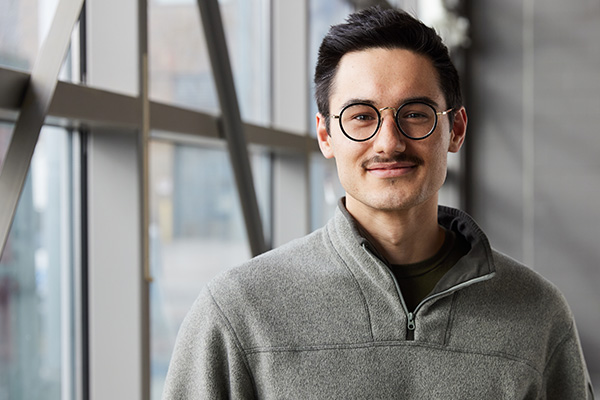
(197,231)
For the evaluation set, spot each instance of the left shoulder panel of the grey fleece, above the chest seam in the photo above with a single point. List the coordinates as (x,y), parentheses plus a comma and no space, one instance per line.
(272,299)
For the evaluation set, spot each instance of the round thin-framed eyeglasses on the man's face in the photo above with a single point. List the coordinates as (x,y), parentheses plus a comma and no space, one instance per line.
(361,121)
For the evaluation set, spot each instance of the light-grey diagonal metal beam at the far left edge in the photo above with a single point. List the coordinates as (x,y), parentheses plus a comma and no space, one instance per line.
(34,109)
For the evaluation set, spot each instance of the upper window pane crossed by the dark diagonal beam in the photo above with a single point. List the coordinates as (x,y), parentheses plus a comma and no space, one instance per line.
(180,71)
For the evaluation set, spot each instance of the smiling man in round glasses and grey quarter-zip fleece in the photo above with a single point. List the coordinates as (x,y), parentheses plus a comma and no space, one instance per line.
(395,297)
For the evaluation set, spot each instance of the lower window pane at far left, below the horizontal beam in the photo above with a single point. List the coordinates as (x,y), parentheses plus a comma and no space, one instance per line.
(35,281)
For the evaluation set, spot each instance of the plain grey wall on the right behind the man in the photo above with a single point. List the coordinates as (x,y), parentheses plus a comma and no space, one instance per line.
(533,98)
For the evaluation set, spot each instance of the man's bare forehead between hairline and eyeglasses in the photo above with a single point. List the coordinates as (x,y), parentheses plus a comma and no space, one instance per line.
(386,77)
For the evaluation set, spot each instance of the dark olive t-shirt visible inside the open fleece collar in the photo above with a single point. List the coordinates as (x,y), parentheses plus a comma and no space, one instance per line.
(417,280)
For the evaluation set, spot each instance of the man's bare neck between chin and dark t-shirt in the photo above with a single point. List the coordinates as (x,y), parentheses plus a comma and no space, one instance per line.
(401,236)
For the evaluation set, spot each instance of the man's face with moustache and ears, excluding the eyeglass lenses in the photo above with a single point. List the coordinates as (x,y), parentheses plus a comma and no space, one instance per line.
(389,172)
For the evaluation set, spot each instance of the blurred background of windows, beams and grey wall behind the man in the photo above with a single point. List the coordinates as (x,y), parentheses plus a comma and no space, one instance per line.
(132,200)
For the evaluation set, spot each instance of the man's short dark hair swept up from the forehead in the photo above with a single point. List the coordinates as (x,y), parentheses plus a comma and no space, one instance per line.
(383,28)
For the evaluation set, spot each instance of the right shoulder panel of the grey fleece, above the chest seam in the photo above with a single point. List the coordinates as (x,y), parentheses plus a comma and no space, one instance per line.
(518,312)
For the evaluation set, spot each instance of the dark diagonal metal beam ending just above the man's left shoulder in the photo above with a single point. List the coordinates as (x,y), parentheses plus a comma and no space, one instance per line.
(232,122)
